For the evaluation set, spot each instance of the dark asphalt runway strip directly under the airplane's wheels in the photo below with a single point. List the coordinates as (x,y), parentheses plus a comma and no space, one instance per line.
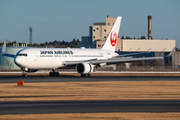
(32,79)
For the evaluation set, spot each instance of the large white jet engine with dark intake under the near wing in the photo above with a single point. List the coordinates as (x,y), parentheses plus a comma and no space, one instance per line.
(84,68)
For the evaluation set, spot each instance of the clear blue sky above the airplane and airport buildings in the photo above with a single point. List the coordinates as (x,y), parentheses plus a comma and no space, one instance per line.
(67,19)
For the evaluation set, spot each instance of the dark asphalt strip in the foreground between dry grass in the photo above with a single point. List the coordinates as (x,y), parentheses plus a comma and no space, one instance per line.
(88,106)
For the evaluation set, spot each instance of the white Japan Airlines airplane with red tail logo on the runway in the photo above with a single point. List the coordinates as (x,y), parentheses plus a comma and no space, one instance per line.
(84,60)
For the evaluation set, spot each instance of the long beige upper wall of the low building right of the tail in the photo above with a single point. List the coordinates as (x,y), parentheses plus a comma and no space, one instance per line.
(145,45)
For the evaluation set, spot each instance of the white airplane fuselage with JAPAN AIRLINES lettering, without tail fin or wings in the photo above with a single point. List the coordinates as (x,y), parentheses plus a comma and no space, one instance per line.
(51,58)
